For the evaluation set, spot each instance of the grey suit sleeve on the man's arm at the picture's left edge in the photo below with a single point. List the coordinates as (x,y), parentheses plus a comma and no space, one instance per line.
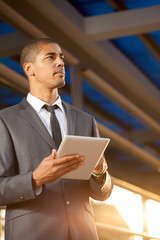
(14,187)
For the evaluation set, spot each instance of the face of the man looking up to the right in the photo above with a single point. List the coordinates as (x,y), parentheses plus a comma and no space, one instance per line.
(48,67)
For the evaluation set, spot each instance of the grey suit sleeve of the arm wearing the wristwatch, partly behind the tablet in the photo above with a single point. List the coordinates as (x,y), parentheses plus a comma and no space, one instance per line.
(100,191)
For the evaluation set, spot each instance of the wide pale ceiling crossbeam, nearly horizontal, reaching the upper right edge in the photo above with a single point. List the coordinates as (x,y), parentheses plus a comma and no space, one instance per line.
(123,23)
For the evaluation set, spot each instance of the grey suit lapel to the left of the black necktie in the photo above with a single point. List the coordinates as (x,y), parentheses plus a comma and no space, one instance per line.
(31,116)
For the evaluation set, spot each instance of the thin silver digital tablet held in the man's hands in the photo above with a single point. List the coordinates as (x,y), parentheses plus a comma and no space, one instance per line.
(92,148)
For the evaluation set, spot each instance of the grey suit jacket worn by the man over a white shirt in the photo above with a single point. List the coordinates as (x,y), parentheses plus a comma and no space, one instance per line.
(62,204)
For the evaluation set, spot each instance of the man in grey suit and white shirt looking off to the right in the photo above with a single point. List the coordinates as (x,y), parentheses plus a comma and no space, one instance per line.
(40,204)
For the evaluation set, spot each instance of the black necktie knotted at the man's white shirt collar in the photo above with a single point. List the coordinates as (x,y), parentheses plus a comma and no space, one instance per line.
(56,131)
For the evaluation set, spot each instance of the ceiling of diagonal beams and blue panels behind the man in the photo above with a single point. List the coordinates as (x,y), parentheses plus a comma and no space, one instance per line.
(112,54)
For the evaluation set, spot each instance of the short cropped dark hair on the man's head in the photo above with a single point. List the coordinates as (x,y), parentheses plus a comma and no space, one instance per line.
(32,48)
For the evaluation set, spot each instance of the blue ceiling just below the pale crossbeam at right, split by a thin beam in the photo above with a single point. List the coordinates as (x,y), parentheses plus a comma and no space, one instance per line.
(135,50)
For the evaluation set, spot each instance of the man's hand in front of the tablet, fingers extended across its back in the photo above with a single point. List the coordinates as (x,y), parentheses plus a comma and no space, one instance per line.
(52,168)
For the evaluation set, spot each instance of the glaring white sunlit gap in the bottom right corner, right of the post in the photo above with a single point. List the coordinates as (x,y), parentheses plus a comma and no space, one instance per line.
(153,217)
